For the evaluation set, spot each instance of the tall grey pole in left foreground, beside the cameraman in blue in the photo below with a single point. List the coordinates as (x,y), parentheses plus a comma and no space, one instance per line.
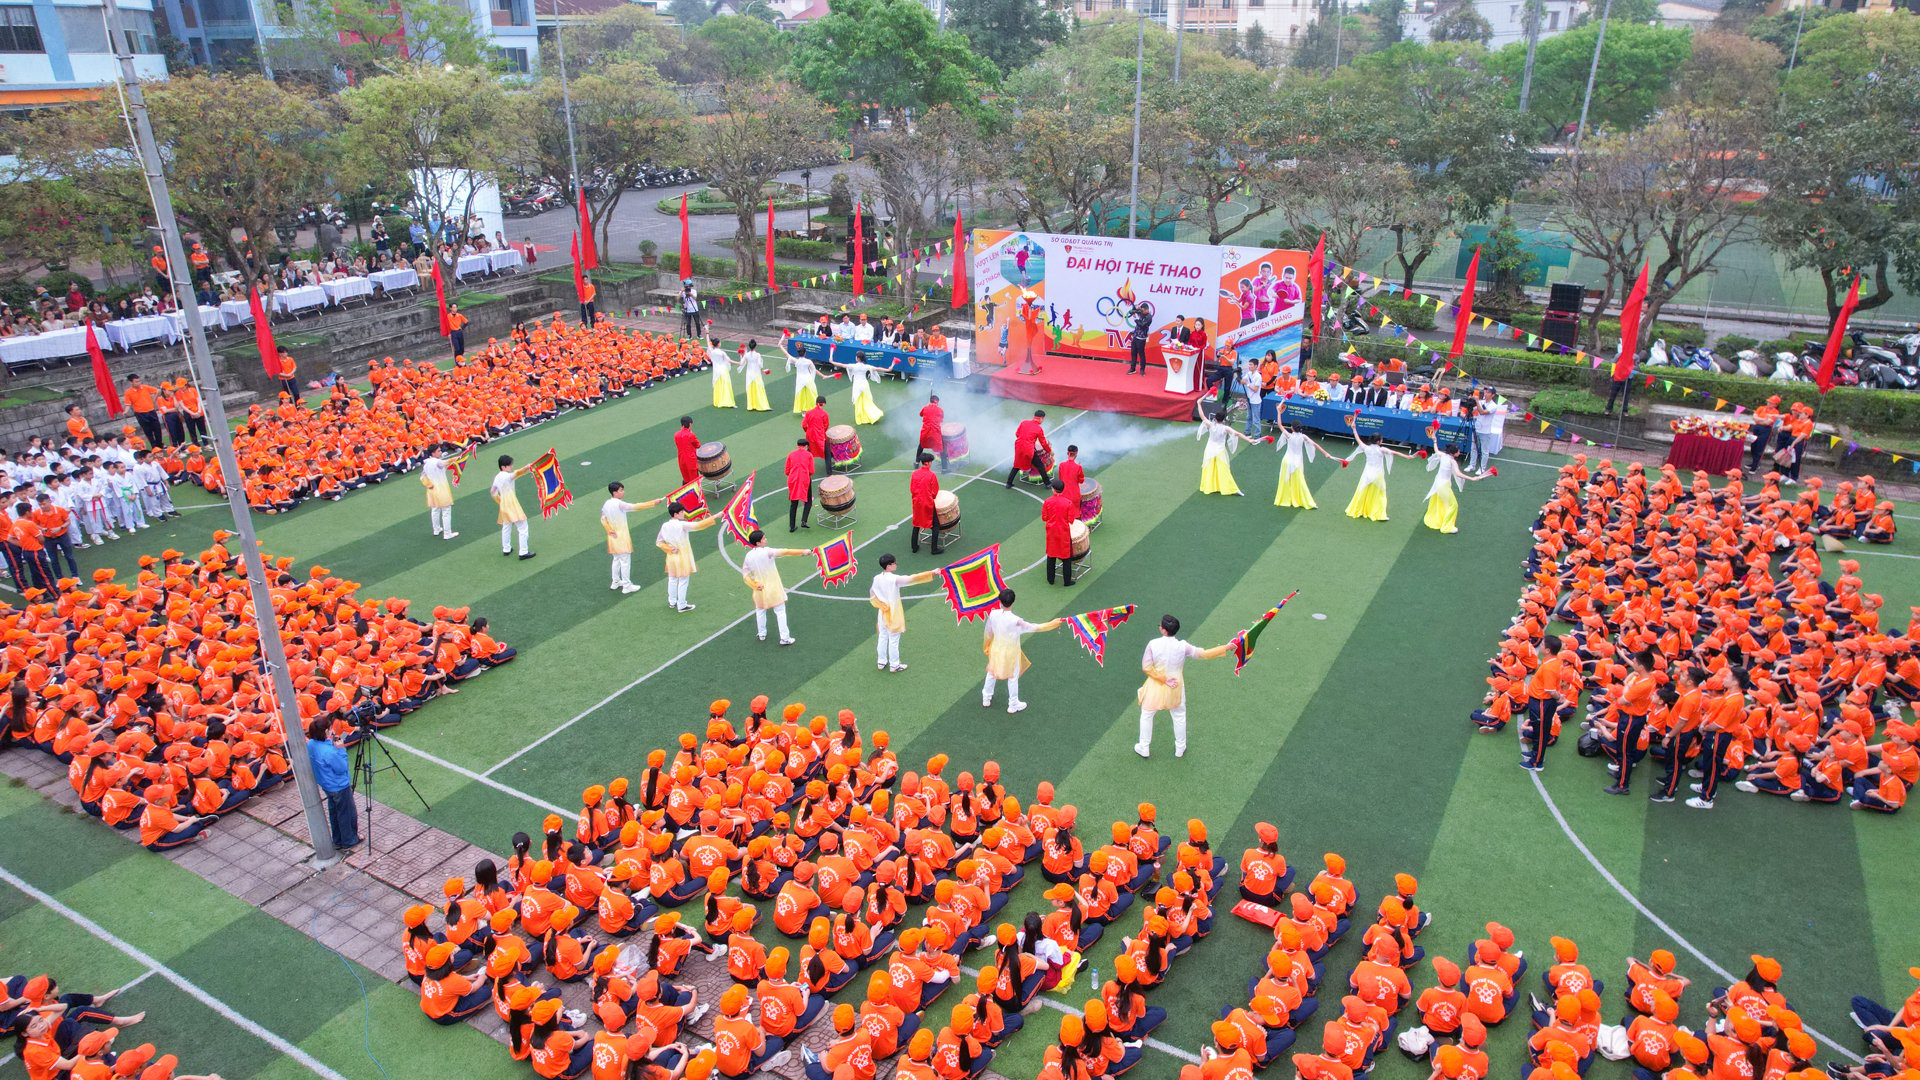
(272,649)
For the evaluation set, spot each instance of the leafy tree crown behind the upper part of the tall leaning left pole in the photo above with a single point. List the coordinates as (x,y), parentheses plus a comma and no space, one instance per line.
(243,157)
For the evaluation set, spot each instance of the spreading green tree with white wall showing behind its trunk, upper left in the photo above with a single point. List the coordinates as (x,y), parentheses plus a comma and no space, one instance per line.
(448,134)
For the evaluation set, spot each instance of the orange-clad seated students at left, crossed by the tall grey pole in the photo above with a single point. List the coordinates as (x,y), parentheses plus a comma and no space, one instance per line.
(155,699)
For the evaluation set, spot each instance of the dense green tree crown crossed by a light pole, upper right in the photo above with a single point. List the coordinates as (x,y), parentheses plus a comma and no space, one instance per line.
(1637,72)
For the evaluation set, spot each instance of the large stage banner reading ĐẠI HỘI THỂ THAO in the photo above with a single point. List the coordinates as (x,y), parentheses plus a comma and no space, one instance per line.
(1084,295)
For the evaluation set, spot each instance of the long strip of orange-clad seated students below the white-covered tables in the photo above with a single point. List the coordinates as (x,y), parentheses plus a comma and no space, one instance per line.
(291,453)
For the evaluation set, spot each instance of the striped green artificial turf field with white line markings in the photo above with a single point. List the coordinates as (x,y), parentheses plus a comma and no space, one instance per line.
(1349,731)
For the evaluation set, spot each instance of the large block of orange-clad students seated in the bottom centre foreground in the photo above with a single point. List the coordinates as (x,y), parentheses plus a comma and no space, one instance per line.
(815,825)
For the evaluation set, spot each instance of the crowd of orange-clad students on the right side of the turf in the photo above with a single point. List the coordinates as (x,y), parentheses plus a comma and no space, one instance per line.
(1704,633)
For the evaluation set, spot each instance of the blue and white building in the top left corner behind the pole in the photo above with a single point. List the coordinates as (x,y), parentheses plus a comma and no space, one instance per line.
(57,51)
